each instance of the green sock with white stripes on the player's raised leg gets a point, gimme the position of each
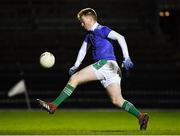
(66, 92)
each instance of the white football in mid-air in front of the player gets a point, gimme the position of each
(47, 60)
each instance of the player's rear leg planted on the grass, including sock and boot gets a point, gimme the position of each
(114, 91)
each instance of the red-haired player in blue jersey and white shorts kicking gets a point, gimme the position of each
(105, 69)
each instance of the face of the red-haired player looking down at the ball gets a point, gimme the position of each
(86, 22)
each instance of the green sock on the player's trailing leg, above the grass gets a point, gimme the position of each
(129, 107)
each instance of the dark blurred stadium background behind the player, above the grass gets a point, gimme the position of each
(31, 27)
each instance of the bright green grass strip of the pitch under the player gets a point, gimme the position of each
(85, 122)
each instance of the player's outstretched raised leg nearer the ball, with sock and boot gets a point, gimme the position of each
(85, 75)
